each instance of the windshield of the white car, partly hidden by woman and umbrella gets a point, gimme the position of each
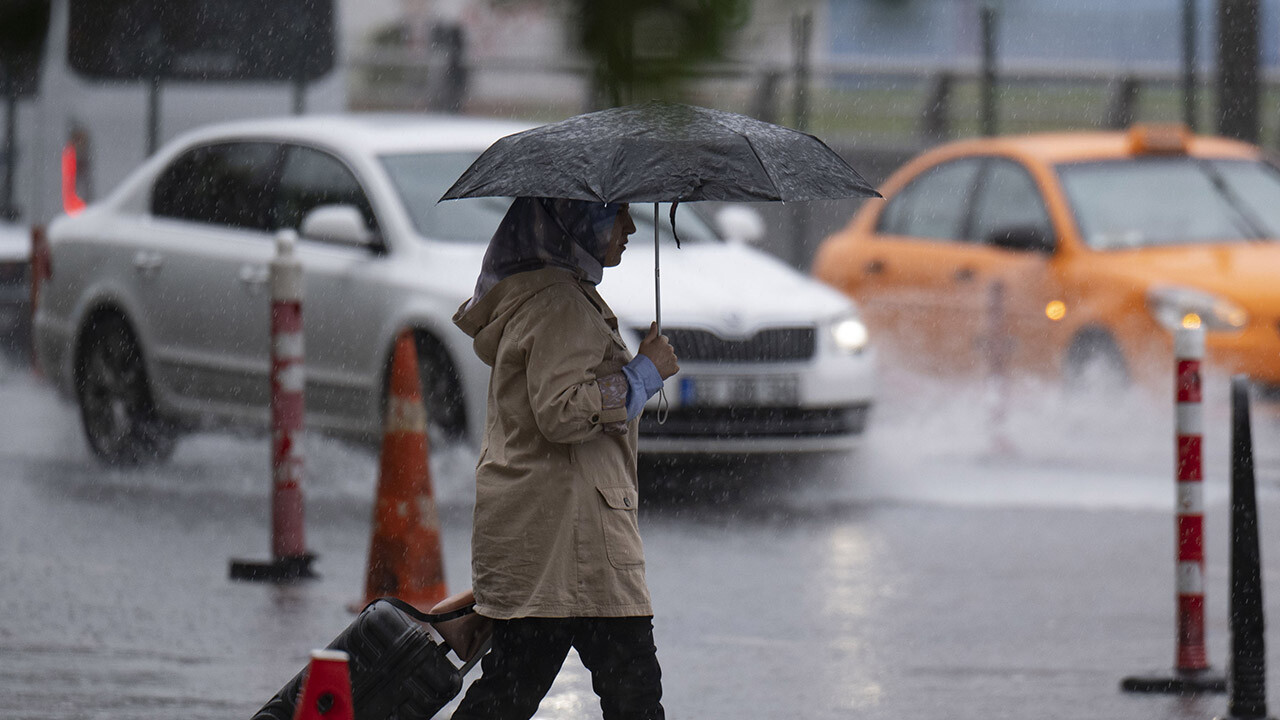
(422, 179)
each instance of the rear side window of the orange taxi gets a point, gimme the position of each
(934, 206)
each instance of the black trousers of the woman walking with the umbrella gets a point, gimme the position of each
(528, 654)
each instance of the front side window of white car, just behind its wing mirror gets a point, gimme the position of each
(310, 179)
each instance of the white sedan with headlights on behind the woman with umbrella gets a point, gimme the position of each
(157, 313)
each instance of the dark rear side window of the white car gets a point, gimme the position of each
(225, 185)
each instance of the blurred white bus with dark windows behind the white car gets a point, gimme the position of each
(118, 78)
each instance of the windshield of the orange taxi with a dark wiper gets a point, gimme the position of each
(1158, 202)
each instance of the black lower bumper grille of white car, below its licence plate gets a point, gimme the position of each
(756, 422)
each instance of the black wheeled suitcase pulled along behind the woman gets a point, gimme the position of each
(399, 671)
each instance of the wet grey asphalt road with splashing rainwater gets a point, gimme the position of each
(922, 578)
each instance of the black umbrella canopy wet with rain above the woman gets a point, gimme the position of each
(657, 153)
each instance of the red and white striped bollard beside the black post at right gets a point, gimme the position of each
(1191, 669)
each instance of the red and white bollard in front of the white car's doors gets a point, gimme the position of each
(291, 559)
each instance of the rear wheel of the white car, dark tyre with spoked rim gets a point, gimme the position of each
(117, 411)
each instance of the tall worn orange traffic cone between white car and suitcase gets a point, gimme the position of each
(405, 558)
